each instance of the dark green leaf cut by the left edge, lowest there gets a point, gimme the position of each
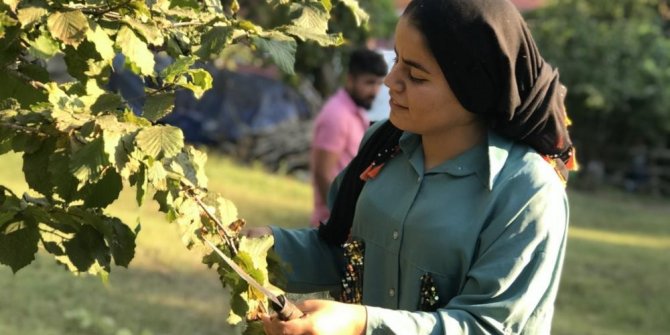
(18, 244)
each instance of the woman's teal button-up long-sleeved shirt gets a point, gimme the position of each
(489, 226)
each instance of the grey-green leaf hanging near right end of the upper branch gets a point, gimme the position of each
(280, 47)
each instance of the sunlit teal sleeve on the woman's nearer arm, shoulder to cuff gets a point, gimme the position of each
(512, 283)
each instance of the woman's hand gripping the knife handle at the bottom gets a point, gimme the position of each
(322, 317)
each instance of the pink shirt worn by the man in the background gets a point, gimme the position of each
(338, 128)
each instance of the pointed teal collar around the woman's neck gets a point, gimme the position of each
(485, 159)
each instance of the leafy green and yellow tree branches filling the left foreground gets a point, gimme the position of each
(82, 145)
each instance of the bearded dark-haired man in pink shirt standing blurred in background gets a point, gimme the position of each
(339, 127)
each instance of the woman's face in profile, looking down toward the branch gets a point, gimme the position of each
(421, 100)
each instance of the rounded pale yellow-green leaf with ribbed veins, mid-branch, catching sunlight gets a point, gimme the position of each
(160, 141)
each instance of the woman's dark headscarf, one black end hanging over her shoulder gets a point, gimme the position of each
(492, 64)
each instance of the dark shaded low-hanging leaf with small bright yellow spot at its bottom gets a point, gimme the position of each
(87, 248)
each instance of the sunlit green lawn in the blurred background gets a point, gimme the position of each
(614, 279)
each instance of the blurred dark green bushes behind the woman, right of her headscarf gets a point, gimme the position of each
(614, 58)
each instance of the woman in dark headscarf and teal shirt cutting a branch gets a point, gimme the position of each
(458, 201)
